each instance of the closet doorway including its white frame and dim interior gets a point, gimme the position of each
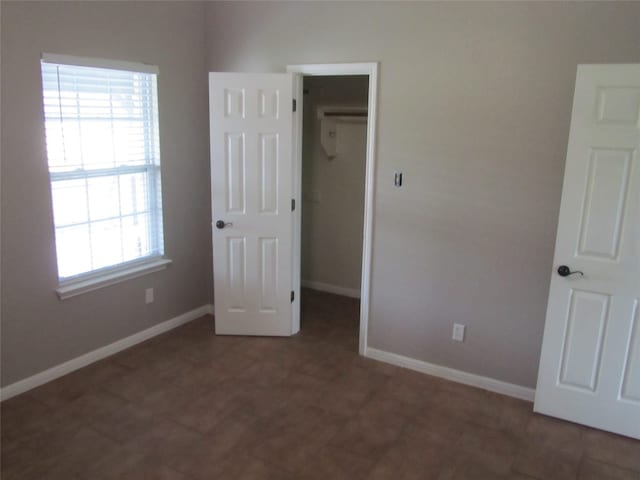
(333, 178)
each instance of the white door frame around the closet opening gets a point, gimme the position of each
(370, 69)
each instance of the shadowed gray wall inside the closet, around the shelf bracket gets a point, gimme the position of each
(333, 189)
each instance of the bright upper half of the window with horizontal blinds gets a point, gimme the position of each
(99, 118)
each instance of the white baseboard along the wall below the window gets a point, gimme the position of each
(52, 373)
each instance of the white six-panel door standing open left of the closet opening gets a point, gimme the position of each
(251, 189)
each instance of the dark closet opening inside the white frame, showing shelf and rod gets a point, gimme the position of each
(334, 142)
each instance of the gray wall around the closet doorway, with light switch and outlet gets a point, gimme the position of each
(474, 106)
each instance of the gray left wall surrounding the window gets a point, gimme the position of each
(38, 330)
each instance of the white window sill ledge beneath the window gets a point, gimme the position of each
(84, 285)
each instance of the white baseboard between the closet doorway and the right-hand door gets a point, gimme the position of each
(486, 383)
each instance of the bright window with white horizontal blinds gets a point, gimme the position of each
(101, 122)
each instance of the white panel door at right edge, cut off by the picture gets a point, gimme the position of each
(590, 362)
